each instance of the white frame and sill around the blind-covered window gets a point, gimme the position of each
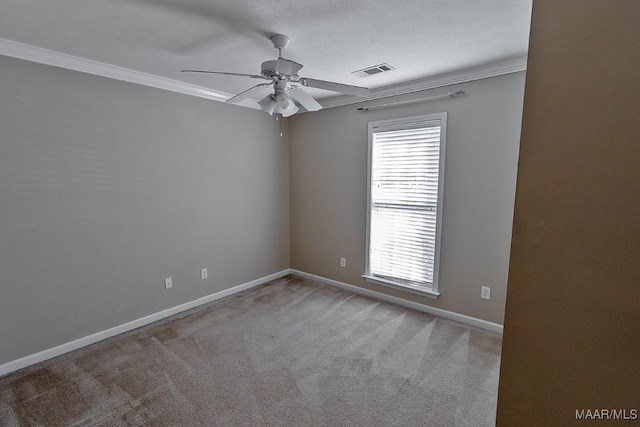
(396, 124)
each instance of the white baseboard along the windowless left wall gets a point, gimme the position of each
(134, 324)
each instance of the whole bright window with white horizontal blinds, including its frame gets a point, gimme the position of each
(404, 214)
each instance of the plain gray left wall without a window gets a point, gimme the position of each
(107, 187)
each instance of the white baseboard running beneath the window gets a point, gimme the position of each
(462, 318)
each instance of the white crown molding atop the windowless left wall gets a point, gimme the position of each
(75, 63)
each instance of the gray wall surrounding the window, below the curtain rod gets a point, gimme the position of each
(328, 192)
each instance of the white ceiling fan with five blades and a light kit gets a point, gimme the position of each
(287, 84)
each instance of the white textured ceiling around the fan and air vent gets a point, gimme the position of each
(421, 38)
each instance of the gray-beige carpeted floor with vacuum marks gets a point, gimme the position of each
(291, 352)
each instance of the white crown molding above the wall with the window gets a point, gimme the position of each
(447, 79)
